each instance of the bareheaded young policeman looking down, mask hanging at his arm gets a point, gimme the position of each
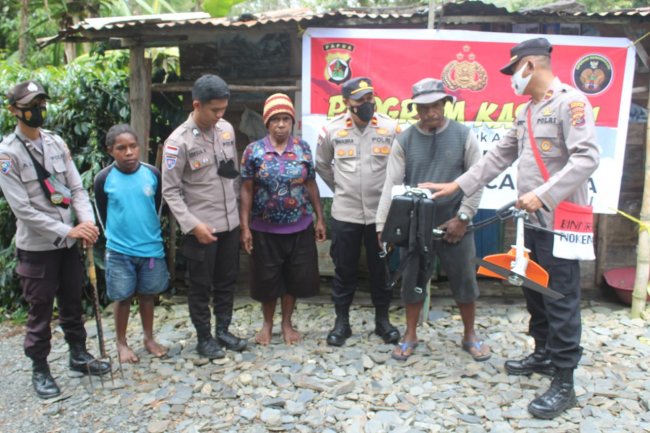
(200, 183)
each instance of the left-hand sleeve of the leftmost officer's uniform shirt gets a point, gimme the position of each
(18, 199)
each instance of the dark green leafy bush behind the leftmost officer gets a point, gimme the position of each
(87, 98)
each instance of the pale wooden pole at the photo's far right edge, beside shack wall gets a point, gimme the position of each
(643, 248)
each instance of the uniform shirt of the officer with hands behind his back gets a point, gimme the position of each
(352, 162)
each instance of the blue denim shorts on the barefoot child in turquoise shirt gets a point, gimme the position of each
(128, 275)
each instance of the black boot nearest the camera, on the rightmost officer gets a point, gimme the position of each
(559, 397)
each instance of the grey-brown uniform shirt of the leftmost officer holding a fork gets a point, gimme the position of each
(41, 226)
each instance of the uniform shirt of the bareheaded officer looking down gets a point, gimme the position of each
(193, 190)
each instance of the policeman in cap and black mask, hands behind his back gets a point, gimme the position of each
(352, 155)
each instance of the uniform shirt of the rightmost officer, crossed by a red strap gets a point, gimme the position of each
(564, 129)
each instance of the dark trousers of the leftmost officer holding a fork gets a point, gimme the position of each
(45, 275)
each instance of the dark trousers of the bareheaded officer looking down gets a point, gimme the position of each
(213, 271)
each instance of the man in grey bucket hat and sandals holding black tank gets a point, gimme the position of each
(437, 149)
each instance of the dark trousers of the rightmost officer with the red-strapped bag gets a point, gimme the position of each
(555, 323)
